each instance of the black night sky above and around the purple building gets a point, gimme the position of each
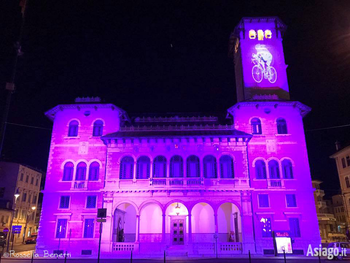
(168, 56)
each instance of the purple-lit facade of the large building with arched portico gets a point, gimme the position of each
(188, 185)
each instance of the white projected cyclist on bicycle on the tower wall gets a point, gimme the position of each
(262, 68)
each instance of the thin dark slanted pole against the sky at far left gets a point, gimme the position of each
(10, 85)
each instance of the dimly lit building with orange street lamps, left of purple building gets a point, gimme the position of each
(23, 181)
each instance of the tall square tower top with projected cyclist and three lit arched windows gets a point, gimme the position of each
(256, 44)
